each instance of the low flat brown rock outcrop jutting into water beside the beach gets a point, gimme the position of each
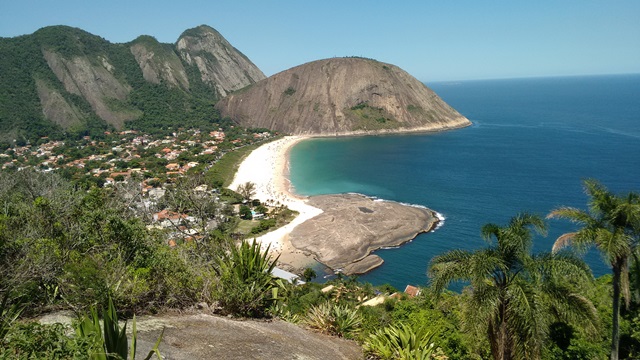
(352, 226)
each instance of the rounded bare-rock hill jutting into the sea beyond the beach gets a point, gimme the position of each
(341, 96)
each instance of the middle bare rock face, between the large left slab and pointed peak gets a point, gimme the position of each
(159, 62)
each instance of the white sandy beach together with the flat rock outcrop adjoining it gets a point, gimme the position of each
(340, 231)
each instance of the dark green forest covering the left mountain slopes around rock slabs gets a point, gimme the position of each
(158, 108)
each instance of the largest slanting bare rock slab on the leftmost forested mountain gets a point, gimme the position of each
(94, 82)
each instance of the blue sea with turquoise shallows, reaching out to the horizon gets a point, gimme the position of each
(531, 144)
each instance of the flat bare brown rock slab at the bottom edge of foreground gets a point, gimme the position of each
(195, 337)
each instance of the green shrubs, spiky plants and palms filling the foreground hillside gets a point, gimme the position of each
(63, 247)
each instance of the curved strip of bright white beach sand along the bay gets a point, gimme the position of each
(268, 167)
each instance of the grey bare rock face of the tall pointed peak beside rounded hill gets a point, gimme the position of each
(220, 64)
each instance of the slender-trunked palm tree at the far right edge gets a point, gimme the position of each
(612, 225)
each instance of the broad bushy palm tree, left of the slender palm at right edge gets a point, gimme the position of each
(515, 296)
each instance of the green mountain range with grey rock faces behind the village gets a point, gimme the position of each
(63, 79)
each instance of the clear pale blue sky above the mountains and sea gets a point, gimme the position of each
(432, 40)
